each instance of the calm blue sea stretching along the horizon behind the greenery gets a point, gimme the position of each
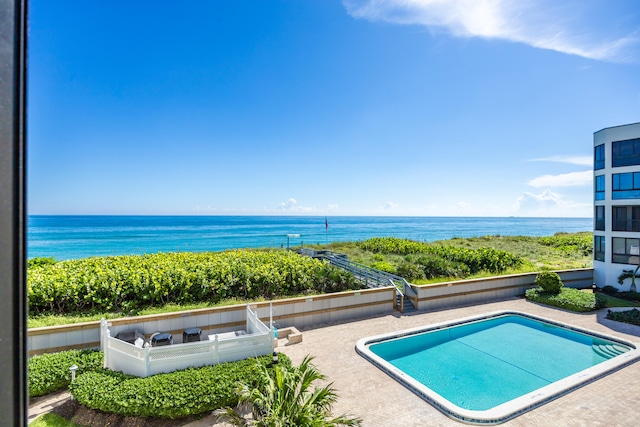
(73, 237)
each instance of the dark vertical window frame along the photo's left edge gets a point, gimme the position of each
(13, 316)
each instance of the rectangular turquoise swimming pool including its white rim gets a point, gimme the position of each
(488, 369)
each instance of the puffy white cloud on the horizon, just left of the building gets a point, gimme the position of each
(548, 204)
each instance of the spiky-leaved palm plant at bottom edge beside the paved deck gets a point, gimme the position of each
(285, 399)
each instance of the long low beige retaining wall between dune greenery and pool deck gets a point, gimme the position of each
(299, 312)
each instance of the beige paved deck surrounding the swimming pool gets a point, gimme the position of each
(367, 392)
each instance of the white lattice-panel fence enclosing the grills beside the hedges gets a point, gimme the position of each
(255, 340)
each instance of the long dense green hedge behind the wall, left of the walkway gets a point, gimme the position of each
(124, 283)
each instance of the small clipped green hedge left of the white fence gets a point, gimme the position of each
(50, 372)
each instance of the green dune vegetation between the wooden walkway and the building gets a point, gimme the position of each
(557, 252)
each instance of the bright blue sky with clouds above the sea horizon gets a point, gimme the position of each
(325, 107)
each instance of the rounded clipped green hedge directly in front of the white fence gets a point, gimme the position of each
(174, 395)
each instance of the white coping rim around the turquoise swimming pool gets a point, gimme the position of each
(512, 408)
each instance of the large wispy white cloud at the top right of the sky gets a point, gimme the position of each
(544, 24)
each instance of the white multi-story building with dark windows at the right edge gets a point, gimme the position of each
(616, 228)
